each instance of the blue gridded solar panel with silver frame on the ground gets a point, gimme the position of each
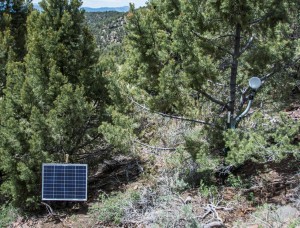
(67, 182)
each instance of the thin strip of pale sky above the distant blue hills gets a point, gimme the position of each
(109, 3)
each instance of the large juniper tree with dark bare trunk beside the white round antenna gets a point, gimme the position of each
(194, 58)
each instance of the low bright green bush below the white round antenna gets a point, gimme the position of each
(271, 139)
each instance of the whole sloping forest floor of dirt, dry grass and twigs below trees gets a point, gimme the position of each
(164, 189)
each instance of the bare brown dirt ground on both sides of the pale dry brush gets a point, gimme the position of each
(237, 206)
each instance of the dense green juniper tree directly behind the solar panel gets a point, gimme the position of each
(53, 102)
